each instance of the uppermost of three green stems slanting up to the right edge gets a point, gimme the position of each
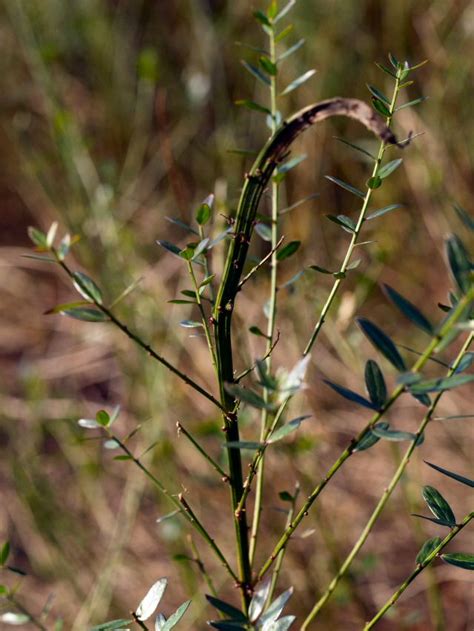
(443, 332)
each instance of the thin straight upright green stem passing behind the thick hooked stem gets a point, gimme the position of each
(272, 312)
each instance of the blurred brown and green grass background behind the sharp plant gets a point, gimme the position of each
(118, 113)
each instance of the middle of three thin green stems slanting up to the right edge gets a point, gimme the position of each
(384, 498)
